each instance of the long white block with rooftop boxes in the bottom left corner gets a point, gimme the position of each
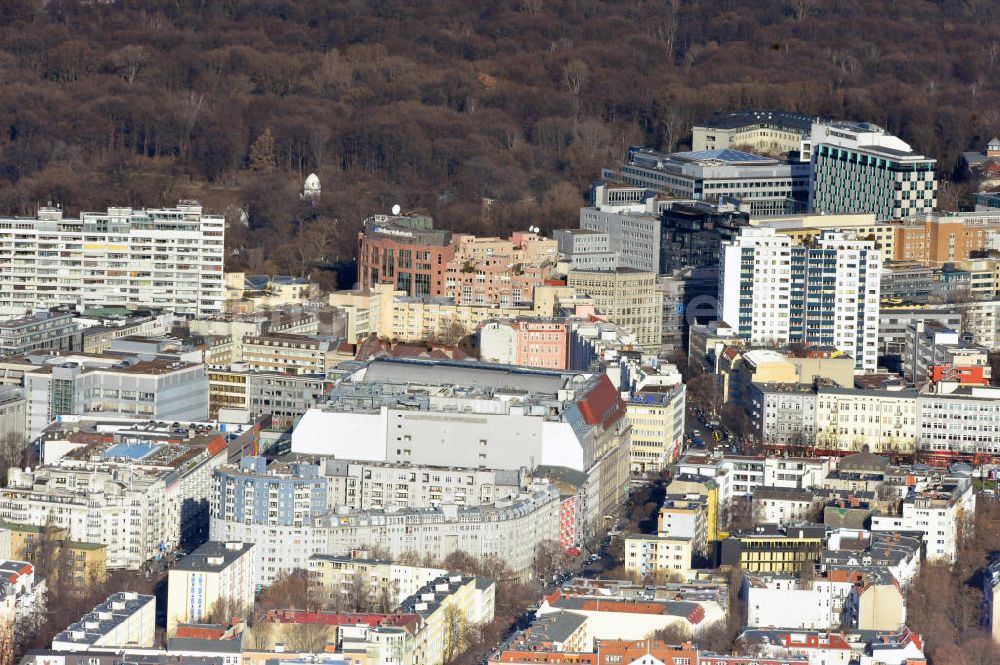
(125, 619)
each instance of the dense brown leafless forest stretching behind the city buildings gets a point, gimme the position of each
(440, 105)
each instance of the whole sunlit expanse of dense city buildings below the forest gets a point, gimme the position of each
(751, 395)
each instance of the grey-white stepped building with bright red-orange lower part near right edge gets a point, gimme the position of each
(934, 353)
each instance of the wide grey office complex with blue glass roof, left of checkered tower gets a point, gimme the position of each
(759, 185)
